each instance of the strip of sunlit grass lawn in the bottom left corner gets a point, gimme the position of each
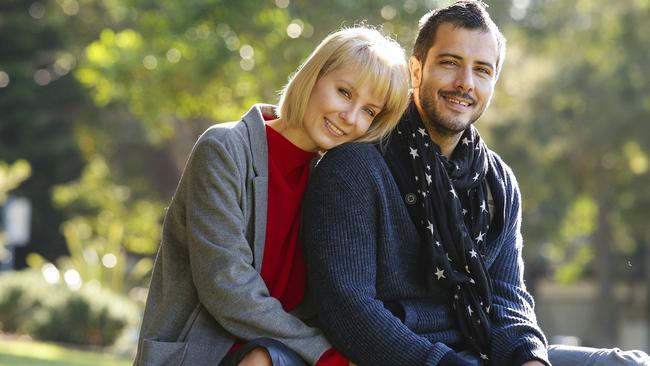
(23, 353)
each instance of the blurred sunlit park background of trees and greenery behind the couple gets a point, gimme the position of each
(102, 100)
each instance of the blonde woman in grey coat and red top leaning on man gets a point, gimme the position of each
(228, 281)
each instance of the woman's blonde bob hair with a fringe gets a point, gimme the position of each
(374, 57)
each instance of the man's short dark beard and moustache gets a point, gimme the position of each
(434, 119)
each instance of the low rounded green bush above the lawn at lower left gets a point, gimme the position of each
(53, 312)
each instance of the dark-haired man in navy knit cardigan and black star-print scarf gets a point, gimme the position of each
(414, 247)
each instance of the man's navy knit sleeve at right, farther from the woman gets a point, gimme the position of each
(516, 337)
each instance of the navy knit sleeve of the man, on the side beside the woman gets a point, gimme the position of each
(342, 209)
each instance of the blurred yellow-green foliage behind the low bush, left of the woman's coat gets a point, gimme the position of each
(112, 226)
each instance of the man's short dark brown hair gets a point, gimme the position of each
(469, 14)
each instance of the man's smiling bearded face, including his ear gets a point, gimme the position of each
(454, 86)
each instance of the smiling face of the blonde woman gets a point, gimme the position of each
(338, 111)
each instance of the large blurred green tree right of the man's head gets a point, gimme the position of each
(572, 125)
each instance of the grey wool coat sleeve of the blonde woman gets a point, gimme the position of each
(220, 256)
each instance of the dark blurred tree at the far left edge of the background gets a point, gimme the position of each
(39, 99)
